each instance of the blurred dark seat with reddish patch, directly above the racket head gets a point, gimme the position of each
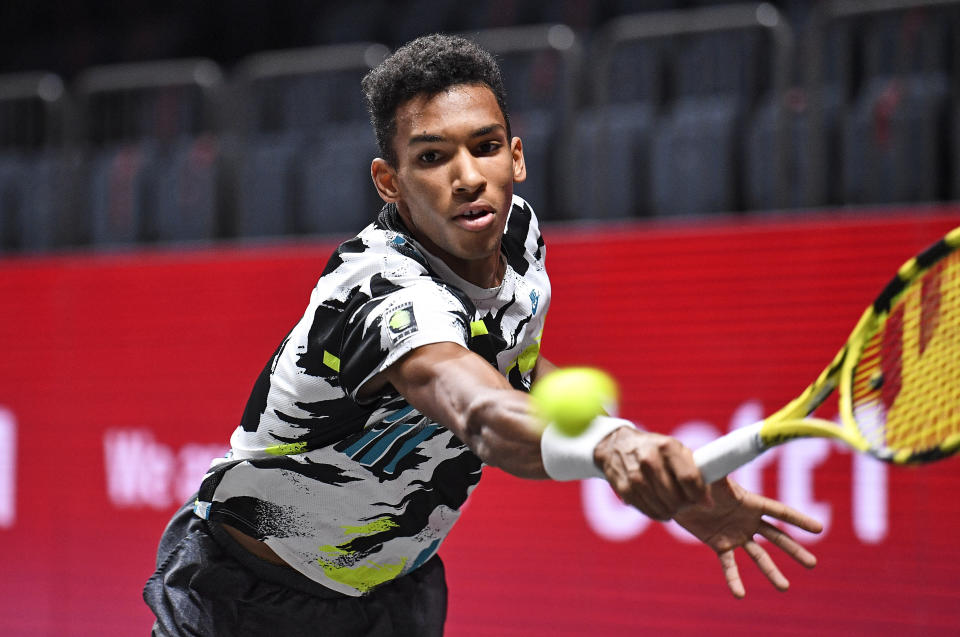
(893, 146)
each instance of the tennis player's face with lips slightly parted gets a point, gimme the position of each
(454, 177)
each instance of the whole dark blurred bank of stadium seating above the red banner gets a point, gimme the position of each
(703, 118)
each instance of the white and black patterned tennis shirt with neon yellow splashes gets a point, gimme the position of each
(354, 493)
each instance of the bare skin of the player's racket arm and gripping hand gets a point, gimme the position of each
(462, 391)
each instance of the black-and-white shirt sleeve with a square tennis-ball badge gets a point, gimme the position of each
(387, 327)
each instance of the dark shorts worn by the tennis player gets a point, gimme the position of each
(208, 585)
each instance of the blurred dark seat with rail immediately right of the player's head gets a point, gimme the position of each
(541, 66)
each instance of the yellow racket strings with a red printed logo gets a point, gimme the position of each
(906, 385)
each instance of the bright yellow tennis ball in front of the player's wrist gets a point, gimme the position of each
(572, 397)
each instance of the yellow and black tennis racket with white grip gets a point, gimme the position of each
(898, 377)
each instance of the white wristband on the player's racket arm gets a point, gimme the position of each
(571, 457)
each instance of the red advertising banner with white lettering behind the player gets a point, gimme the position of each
(122, 375)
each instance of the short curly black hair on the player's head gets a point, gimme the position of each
(428, 65)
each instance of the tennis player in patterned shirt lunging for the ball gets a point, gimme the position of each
(408, 372)
